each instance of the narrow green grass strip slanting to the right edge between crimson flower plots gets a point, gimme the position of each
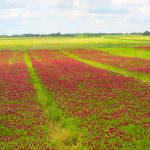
(139, 76)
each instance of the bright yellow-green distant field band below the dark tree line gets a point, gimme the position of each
(71, 43)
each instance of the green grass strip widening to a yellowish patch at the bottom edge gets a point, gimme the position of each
(62, 130)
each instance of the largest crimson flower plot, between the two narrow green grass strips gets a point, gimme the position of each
(113, 109)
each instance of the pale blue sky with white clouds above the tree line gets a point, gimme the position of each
(74, 16)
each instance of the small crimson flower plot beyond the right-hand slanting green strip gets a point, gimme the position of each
(128, 63)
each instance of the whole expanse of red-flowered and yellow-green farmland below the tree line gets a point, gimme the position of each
(75, 93)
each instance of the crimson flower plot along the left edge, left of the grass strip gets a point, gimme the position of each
(23, 124)
